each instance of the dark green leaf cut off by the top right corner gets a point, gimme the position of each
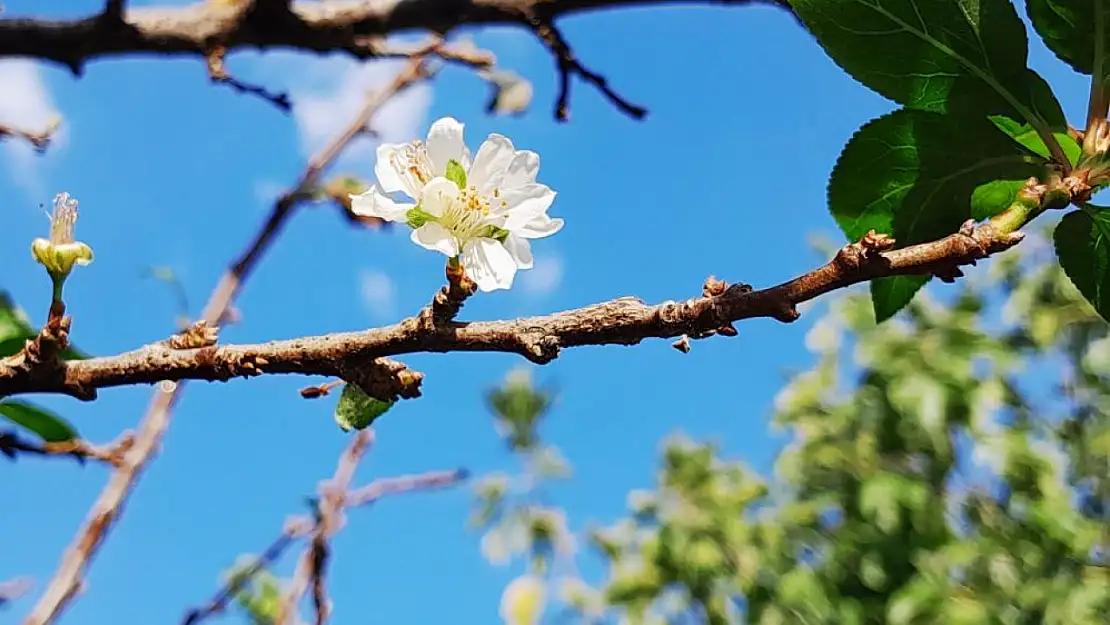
(1077, 32)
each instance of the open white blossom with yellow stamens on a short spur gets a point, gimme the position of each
(482, 209)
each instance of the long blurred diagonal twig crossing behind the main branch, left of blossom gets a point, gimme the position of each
(109, 506)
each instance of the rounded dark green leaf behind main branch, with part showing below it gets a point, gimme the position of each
(913, 175)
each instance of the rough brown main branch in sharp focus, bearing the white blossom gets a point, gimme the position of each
(624, 321)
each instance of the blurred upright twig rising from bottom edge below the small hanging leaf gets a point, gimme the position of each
(314, 564)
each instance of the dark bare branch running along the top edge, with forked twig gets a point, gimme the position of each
(356, 27)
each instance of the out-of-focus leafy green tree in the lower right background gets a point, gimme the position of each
(955, 469)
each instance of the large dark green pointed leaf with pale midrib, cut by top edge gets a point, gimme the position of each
(930, 55)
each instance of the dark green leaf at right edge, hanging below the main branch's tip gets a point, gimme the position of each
(1083, 246)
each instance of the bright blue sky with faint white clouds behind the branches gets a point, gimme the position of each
(726, 177)
